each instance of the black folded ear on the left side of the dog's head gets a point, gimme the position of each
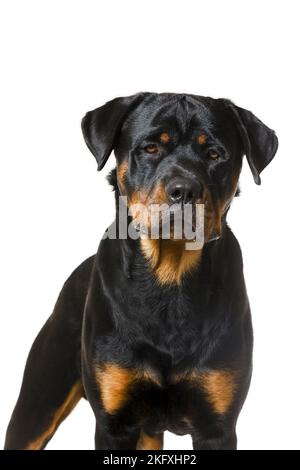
(101, 126)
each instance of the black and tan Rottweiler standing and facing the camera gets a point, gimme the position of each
(155, 336)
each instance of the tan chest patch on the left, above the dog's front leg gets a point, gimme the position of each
(115, 383)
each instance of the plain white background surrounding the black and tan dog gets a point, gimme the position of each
(62, 58)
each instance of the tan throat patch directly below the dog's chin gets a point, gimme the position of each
(169, 259)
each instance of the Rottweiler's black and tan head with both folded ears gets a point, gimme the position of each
(179, 149)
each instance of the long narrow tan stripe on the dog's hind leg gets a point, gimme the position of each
(60, 414)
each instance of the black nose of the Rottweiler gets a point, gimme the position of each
(183, 190)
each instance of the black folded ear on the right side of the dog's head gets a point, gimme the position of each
(260, 143)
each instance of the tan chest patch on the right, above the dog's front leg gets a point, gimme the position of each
(218, 385)
